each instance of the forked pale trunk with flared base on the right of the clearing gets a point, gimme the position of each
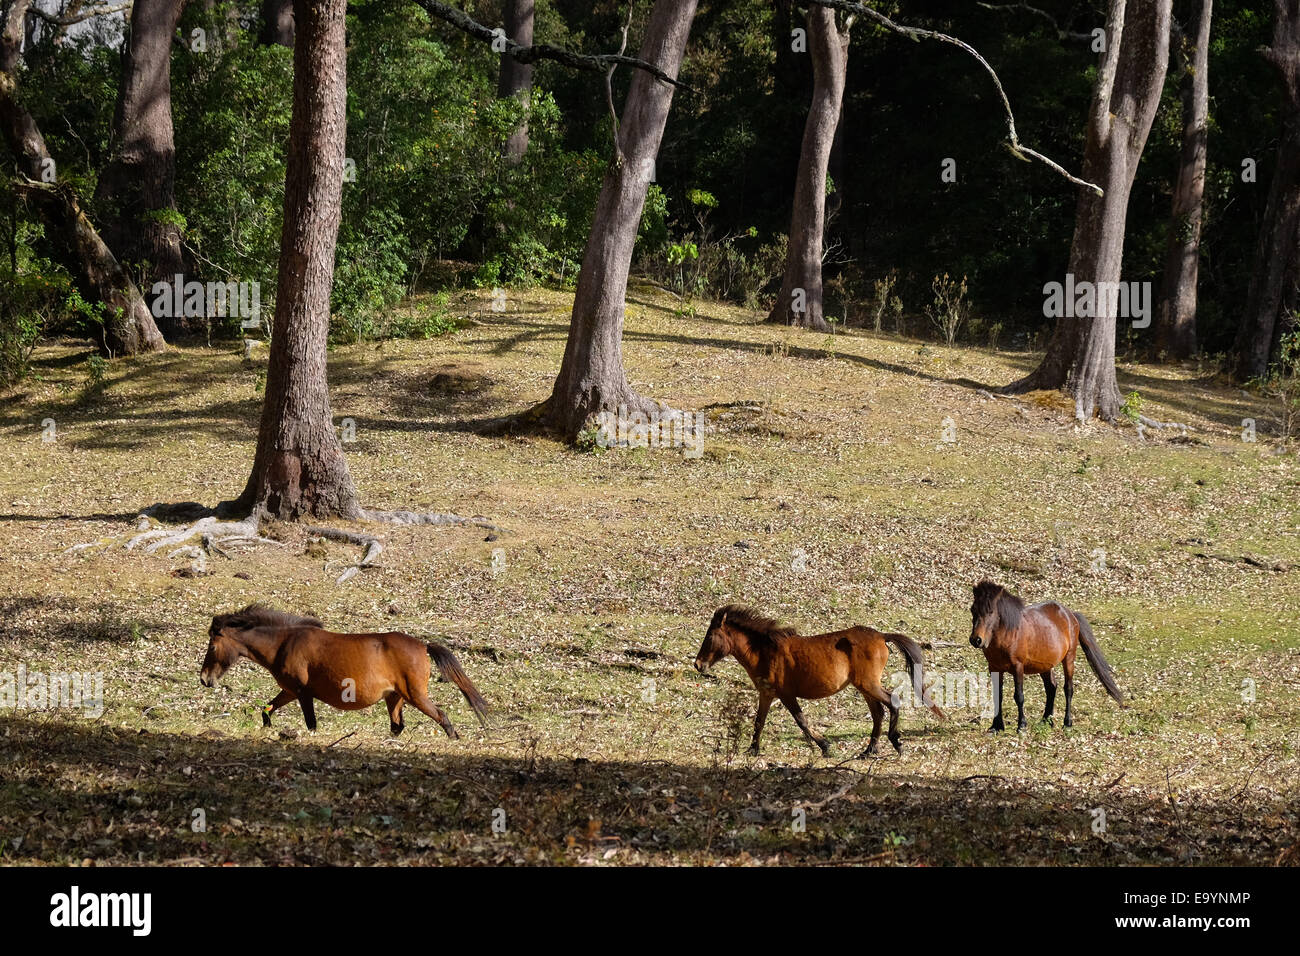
(1081, 356)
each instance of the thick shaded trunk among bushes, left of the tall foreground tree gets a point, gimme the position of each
(140, 181)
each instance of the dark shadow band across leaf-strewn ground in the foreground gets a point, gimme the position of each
(76, 790)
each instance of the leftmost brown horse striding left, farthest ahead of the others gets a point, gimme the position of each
(345, 671)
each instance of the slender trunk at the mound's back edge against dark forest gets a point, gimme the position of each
(800, 301)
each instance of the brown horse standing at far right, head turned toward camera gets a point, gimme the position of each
(1020, 641)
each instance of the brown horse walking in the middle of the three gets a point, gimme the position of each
(787, 667)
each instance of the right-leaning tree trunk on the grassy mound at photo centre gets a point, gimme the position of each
(592, 378)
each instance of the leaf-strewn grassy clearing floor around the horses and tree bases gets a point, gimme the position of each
(826, 495)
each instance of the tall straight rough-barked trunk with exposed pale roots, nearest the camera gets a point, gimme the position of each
(300, 466)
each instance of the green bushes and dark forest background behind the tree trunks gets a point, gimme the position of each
(434, 207)
